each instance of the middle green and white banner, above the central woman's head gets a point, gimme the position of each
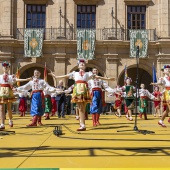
(86, 43)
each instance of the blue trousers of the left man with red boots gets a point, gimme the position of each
(36, 105)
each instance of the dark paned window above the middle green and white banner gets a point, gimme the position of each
(86, 16)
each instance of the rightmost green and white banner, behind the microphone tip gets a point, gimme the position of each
(138, 38)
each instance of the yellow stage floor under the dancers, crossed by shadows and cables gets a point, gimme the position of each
(98, 147)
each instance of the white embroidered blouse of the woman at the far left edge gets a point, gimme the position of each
(7, 79)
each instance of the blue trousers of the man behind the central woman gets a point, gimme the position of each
(96, 105)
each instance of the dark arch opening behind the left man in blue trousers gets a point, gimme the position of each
(27, 71)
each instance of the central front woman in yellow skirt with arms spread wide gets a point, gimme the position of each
(81, 94)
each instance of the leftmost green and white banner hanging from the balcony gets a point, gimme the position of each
(33, 42)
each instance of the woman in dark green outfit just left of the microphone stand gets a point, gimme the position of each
(129, 98)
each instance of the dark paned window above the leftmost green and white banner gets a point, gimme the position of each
(36, 16)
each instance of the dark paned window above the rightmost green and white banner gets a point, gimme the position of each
(136, 17)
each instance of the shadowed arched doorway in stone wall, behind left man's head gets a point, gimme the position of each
(30, 72)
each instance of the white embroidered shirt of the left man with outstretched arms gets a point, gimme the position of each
(36, 84)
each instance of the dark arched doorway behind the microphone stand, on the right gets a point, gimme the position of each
(144, 77)
